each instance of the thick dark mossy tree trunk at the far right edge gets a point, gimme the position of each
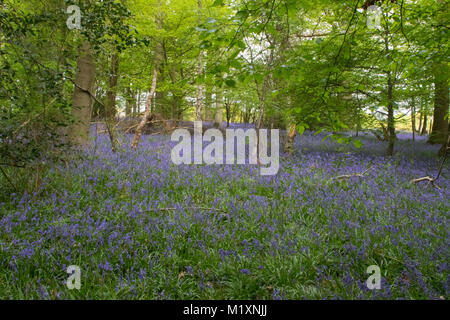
(441, 101)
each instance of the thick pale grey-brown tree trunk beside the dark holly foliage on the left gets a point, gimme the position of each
(82, 99)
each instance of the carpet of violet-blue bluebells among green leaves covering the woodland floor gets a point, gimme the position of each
(140, 227)
